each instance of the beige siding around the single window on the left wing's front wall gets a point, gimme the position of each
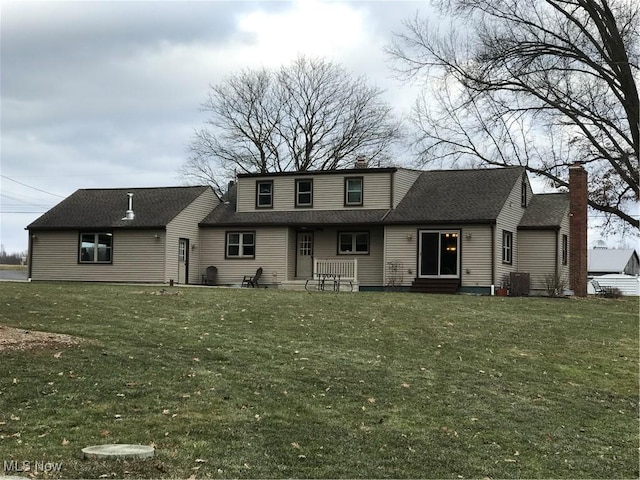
(137, 257)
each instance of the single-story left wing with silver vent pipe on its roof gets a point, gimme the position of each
(121, 235)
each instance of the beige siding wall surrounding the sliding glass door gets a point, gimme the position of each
(401, 248)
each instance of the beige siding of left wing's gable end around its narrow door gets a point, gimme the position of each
(185, 225)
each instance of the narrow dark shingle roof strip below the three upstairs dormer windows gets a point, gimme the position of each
(225, 215)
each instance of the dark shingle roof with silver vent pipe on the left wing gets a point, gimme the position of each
(105, 208)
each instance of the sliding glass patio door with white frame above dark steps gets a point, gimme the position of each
(439, 254)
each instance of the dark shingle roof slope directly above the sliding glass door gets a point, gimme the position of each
(457, 196)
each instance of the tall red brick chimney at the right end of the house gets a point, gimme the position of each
(578, 229)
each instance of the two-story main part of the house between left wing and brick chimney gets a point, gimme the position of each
(450, 230)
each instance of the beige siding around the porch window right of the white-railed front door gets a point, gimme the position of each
(370, 267)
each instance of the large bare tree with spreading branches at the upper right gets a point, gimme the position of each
(540, 84)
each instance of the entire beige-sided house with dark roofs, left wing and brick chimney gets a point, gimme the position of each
(383, 228)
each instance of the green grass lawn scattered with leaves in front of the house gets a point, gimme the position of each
(266, 383)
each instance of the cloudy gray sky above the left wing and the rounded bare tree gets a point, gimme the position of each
(107, 94)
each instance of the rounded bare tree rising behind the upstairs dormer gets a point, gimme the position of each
(310, 115)
